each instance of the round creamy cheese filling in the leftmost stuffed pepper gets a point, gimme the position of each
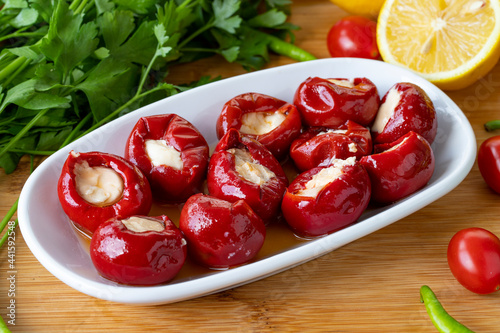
(100, 186)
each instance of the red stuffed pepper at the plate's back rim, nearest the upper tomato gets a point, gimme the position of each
(322, 102)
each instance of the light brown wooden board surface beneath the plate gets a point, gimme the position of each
(370, 285)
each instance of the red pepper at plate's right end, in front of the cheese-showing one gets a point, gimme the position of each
(400, 168)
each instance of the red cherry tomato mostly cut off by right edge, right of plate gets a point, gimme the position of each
(488, 160)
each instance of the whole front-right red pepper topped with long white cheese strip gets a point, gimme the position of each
(323, 200)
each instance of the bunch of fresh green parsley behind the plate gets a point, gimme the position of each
(68, 67)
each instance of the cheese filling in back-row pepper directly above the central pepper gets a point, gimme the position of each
(258, 123)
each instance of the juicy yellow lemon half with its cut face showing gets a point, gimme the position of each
(451, 43)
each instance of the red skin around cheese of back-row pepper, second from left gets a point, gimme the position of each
(169, 184)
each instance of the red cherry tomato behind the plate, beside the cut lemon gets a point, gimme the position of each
(353, 36)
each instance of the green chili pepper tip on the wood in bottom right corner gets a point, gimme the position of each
(439, 317)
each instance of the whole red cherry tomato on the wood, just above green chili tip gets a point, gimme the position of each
(474, 260)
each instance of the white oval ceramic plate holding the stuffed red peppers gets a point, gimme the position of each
(54, 243)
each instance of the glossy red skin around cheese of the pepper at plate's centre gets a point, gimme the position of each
(226, 183)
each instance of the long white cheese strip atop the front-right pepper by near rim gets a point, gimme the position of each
(325, 177)
